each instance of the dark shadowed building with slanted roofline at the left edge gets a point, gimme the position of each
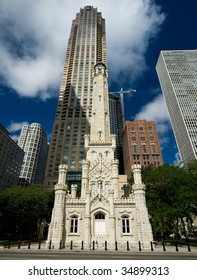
(11, 158)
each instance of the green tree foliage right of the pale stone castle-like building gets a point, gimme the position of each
(171, 195)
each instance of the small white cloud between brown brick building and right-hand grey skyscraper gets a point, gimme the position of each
(156, 110)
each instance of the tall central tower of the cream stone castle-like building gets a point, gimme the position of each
(100, 181)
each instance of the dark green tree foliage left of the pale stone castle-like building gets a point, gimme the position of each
(23, 210)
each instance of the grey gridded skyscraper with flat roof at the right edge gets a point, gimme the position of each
(177, 72)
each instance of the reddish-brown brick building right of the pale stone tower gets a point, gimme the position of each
(140, 144)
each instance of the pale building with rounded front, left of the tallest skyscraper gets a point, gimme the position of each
(33, 140)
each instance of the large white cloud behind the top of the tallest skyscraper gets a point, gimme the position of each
(34, 37)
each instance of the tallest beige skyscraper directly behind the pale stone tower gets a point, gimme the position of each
(86, 46)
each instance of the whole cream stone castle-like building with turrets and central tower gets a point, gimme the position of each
(106, 210)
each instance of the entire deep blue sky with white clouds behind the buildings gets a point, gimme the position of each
(33, 41)
